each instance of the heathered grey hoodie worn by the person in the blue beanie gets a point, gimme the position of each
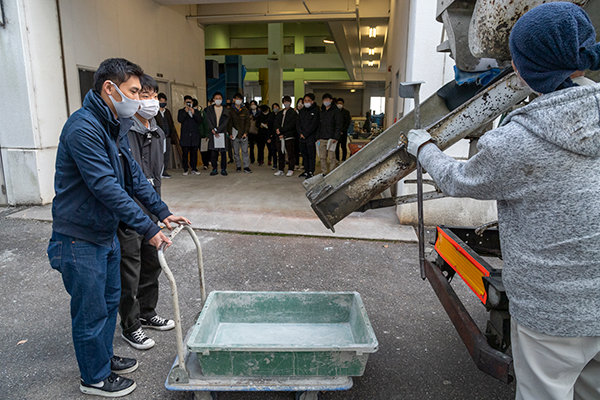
(543, 167)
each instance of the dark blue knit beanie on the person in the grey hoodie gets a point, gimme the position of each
(552, 41)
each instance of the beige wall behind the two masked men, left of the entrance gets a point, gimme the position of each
(94, 30)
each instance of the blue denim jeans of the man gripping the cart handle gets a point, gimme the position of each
(91, 276)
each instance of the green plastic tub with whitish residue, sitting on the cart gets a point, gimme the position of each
(258, 334)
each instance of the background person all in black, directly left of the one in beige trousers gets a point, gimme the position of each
(308, 128)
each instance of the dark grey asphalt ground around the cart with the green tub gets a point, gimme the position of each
(420, 355)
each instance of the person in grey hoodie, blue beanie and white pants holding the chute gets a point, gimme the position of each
(542, 165)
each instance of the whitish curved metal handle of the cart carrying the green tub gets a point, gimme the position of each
(180, 374)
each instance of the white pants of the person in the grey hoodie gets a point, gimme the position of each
(554, 367)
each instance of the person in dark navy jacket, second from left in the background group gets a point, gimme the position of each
(190, 120)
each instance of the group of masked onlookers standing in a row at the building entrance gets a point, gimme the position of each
(243, 131)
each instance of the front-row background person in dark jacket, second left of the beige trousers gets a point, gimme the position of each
(285, 129)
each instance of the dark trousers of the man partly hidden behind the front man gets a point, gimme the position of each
(139, 279)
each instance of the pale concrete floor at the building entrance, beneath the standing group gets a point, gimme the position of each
(260, 203)
